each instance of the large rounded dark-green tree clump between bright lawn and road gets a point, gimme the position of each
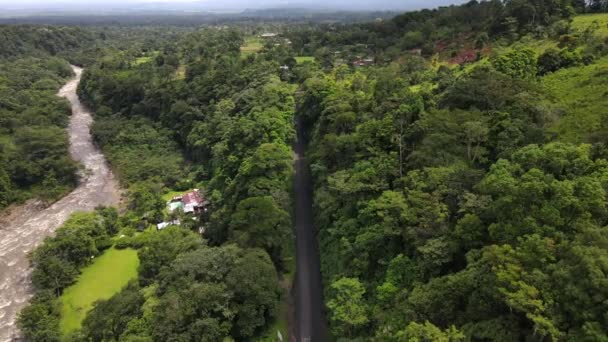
(213, 293)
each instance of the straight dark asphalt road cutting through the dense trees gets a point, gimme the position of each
(310, 315)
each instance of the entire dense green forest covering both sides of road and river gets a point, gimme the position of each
(459, 160)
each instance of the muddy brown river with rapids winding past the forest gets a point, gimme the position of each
(29, 224)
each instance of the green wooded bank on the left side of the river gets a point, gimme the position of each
(34, 145)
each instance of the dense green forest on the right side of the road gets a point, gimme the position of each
(451, 206)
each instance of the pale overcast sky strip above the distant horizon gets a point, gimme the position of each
(222, 4)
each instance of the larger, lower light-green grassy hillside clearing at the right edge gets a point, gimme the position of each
(582, 93)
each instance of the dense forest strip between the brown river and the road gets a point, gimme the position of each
(151, 125)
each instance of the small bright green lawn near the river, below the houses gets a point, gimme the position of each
(107, 275)
